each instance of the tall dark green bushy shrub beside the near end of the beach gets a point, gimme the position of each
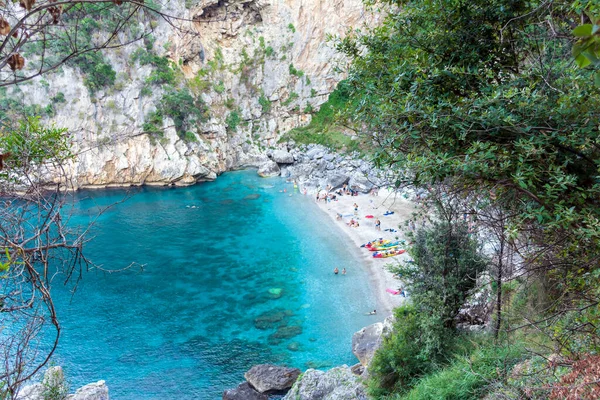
(446, 263)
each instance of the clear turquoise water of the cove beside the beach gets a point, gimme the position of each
(229, 274)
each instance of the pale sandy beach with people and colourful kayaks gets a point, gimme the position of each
(380, 278)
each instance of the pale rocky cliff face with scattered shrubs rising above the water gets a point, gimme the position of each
(260, 66)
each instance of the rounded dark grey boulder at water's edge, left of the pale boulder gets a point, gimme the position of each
(268, 378)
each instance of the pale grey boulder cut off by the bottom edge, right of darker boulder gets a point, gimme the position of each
(336, 384)
